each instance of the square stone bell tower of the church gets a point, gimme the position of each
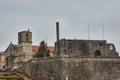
(25, 44)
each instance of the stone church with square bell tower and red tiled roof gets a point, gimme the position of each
(16, 54)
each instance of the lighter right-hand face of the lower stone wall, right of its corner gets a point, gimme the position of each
(91, 68)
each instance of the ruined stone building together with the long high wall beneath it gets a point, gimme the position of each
(78, 60)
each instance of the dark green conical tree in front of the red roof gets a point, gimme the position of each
(43, 51)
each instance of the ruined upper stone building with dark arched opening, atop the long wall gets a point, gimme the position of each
(86, 48)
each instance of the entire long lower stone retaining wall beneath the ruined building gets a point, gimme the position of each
(74, 68)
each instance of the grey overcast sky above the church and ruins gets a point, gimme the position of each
(40, 17)
